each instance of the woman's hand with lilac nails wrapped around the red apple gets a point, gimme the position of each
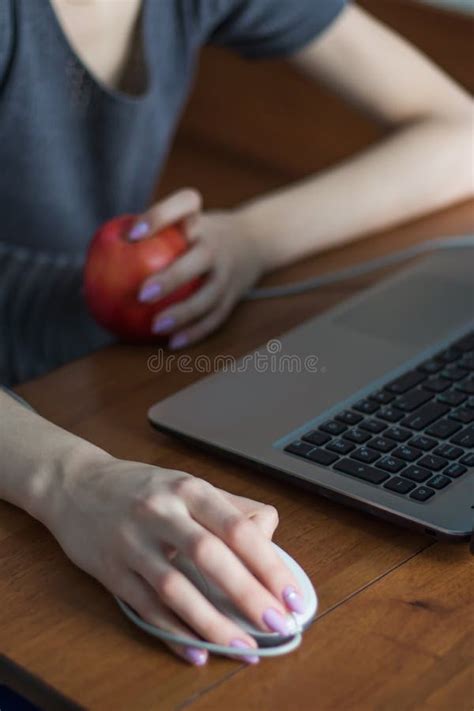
(222, 249)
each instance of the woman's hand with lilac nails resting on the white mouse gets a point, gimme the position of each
(123, 522)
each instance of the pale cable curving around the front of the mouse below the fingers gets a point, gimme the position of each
(278, 650)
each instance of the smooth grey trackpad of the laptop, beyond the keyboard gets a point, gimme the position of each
(419, 310)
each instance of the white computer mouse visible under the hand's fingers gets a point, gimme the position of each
(222, 602)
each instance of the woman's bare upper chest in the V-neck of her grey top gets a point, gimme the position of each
(102, 33)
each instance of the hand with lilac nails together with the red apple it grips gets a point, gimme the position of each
(145, 279)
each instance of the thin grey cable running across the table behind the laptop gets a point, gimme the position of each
(372, 265)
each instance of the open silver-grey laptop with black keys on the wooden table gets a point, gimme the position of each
(370, 404)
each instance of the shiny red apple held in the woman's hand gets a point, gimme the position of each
(116, 269)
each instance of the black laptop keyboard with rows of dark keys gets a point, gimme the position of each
(414, 437)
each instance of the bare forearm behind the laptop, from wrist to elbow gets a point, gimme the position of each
(420, 168)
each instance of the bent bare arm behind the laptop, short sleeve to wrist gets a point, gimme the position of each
(425, 164)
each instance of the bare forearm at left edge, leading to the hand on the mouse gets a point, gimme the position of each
(38, 459)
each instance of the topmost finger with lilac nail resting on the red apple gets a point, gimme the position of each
(177, 207)
